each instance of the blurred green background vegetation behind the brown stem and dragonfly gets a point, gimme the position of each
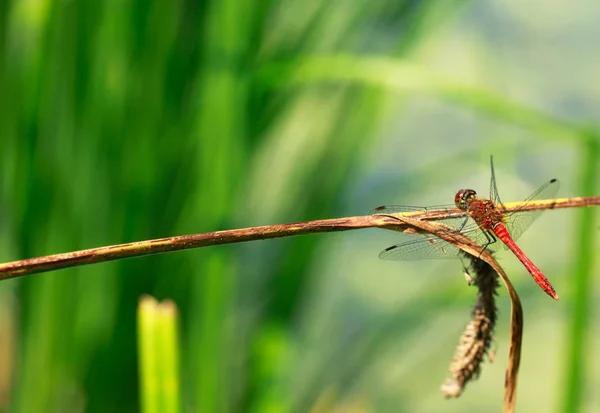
(123, 121)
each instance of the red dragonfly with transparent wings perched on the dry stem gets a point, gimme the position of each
(484, 220)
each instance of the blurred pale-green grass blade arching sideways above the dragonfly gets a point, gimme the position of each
(410, 78)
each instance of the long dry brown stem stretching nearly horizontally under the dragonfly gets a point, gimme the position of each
(157, 246)
